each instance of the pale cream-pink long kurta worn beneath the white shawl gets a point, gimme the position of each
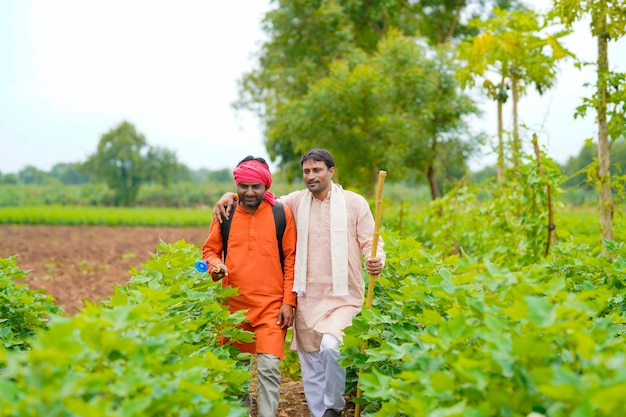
(319, 311)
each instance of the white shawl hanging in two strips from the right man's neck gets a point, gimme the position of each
(338, 242)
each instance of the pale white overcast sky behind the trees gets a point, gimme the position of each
(73, 69)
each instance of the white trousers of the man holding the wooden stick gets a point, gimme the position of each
(323, 379)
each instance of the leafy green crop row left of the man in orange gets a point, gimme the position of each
(153, 349)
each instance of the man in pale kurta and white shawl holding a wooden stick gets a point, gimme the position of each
(325, 306)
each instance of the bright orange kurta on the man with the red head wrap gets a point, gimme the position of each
(254, 268)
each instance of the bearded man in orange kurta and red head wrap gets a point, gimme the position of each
(253, 267)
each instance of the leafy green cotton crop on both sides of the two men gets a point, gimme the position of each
(480, 311)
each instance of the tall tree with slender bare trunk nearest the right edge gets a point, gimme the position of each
(607, 21)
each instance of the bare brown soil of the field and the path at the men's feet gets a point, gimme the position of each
(77, 263)
